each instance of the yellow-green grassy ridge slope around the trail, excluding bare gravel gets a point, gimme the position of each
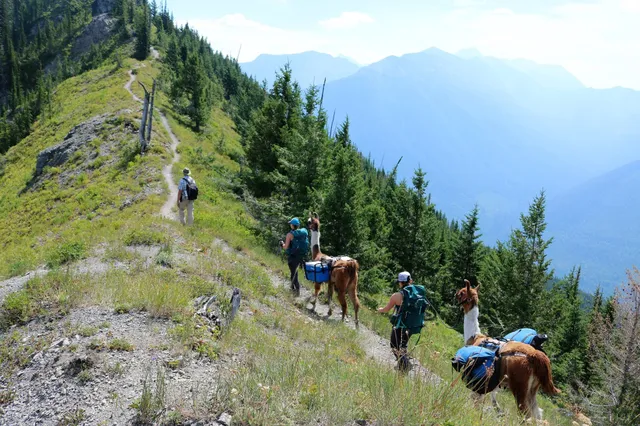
(295, 369)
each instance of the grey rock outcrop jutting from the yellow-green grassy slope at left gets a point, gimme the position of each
(75, 140)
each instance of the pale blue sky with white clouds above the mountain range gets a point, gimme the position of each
(596, 40)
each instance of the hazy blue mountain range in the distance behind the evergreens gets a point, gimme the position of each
(496, 132)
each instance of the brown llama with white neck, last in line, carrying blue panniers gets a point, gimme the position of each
(523, 369)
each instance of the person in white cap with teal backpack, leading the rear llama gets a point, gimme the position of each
(408, 319)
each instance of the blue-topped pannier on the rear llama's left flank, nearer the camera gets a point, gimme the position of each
(478, 366)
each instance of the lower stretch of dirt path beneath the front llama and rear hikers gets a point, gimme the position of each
(374, 346)
